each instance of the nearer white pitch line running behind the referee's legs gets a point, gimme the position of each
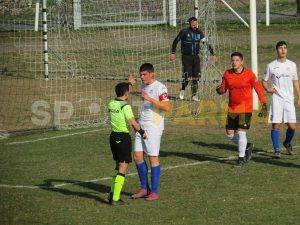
(108, 178)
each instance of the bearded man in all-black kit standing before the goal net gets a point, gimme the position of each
(190, 45)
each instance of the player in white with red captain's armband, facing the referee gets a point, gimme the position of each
(155, 102)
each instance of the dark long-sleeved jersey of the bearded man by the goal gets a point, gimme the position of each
(190, 41)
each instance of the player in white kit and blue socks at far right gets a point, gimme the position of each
(283, 75)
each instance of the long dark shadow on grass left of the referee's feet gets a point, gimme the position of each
(95, 189)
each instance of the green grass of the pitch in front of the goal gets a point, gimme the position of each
(265, 191)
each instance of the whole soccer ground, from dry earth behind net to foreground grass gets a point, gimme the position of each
(52, 174)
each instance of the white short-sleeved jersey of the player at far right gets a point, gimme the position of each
(282, 75)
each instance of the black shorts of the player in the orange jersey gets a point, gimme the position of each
(238, 120)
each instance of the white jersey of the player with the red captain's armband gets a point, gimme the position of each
(150, 117)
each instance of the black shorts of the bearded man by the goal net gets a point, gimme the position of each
(190, 66)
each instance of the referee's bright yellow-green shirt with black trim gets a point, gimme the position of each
(119, 113)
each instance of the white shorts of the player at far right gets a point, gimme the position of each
(282, 111)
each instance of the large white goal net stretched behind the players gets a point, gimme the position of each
(91, 46)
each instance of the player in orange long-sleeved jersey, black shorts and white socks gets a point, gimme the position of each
(240, 81)
